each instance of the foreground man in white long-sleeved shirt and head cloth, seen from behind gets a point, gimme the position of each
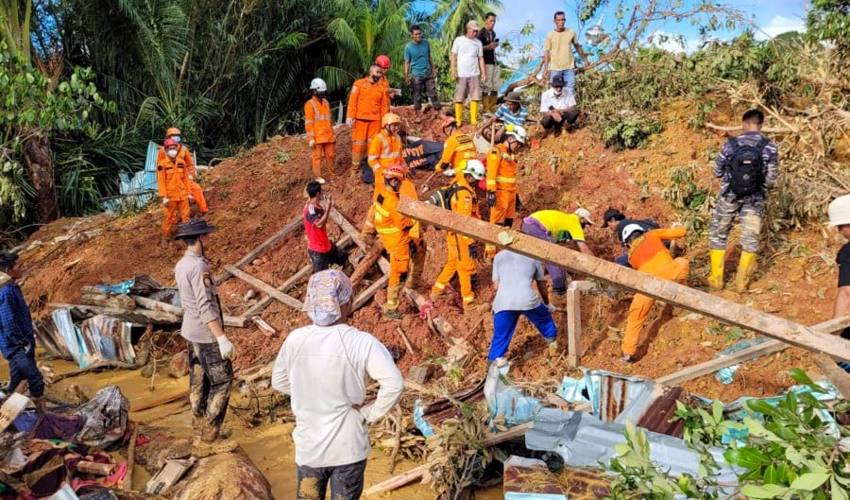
(323, 367)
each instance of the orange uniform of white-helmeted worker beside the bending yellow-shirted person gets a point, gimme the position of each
(502, 173)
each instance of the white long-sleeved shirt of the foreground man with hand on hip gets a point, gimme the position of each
(324, 369)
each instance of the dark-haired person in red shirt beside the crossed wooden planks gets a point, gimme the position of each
(322, 251)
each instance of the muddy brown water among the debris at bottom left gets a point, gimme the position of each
(269, 445)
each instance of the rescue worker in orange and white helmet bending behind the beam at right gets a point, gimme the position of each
(648, 254)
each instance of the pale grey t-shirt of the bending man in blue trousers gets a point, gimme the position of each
(515, 272)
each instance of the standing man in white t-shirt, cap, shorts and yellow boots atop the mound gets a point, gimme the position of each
(468, 70)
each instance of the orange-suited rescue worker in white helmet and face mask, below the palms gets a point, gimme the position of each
(319, 128)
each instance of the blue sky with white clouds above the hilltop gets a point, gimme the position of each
(772, 17)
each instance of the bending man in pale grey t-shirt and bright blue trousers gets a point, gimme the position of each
(518, 298)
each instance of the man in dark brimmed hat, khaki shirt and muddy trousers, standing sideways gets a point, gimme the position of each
(210, 352)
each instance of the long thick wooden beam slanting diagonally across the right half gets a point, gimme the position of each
(669, 291)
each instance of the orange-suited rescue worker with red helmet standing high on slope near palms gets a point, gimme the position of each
(367, 104)
